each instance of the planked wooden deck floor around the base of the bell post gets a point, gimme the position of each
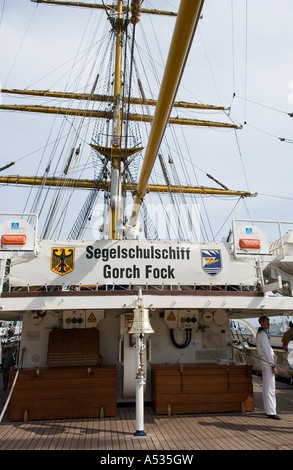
(189, 433)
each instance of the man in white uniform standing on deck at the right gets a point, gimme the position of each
(268, 367)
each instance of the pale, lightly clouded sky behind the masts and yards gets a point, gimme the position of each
(241, 58)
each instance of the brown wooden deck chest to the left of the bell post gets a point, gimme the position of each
(65, 392)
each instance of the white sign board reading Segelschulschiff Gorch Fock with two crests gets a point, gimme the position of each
(132, 262)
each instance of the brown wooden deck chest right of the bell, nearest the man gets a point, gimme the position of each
(201, 388)
